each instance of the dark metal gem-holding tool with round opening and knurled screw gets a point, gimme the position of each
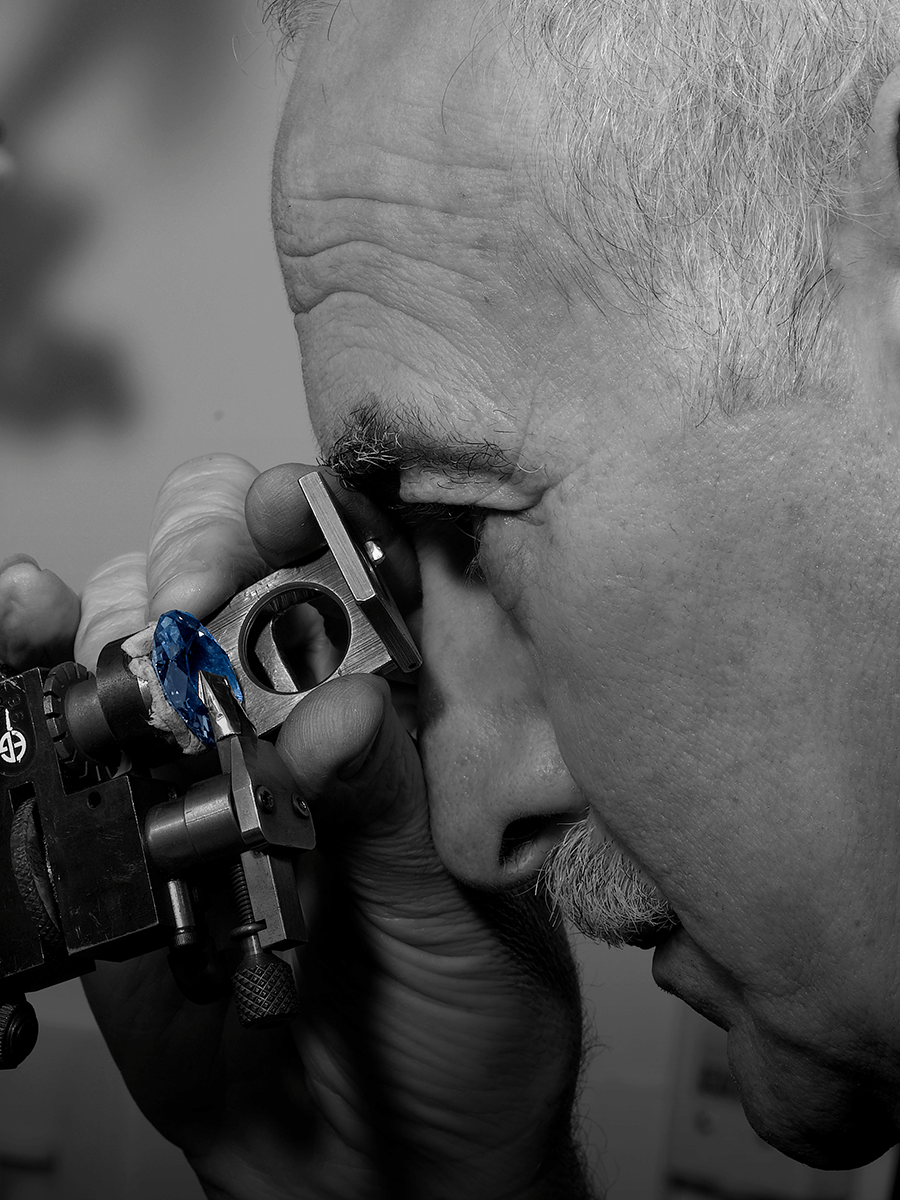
(109, 865)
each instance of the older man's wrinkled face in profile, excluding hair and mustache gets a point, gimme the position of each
(665, 626)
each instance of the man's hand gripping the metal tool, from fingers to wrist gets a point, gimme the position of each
(439, 1045)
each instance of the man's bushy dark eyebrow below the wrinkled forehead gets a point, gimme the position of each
(377, 445)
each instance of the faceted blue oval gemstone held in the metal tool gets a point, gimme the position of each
(183, 647)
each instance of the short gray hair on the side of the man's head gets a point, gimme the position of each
(703, 152)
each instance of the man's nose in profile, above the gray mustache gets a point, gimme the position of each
(500, 793)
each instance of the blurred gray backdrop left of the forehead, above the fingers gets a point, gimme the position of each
(141, 311)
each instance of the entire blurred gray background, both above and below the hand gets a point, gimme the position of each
(142, 322)
